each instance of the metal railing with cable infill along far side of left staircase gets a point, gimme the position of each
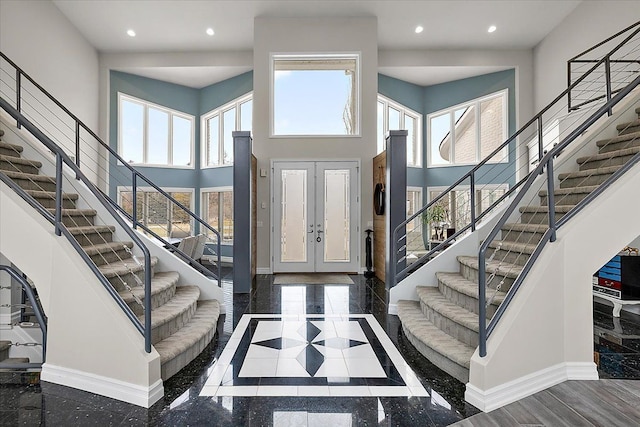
(72, 131)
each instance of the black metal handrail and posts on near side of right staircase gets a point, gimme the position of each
(549, 236)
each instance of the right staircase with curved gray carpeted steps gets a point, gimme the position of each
(443, 324)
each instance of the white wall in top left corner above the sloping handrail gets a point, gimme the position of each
(39, 39)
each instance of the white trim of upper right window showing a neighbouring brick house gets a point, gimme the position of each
(505, 123)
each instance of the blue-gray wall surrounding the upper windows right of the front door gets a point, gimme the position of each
(429, 99)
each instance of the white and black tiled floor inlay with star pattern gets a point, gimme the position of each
(311, 355)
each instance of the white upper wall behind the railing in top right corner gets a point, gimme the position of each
(590, 23)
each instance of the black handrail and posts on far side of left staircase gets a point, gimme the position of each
(135, 173)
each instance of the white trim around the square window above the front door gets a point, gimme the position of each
(276, 55)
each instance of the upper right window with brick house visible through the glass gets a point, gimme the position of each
(467, 133)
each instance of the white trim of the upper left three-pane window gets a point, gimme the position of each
(171, 112)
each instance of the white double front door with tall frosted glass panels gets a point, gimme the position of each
(316, 216)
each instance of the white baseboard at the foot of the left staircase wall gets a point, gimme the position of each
(116, 389)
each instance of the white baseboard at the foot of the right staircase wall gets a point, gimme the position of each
(499, 396)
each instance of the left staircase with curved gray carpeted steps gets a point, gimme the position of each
(182, 325)
